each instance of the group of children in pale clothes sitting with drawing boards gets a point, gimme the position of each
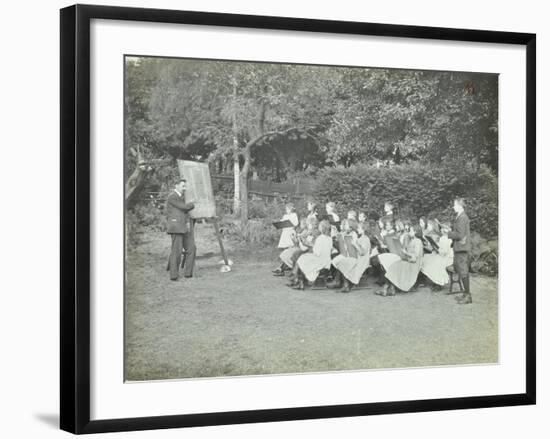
(397, 250)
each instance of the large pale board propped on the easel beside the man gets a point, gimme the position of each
(199, 188)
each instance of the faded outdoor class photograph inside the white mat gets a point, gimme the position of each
(297, 218)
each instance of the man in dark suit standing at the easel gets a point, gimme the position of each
(177, 217)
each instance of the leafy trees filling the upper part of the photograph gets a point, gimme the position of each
(279, 119)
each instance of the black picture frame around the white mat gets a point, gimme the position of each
(75, 217)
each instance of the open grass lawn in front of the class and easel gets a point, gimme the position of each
(247, 322)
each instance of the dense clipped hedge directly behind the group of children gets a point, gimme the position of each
(416, 190)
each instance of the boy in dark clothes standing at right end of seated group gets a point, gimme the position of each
(461, 249)
